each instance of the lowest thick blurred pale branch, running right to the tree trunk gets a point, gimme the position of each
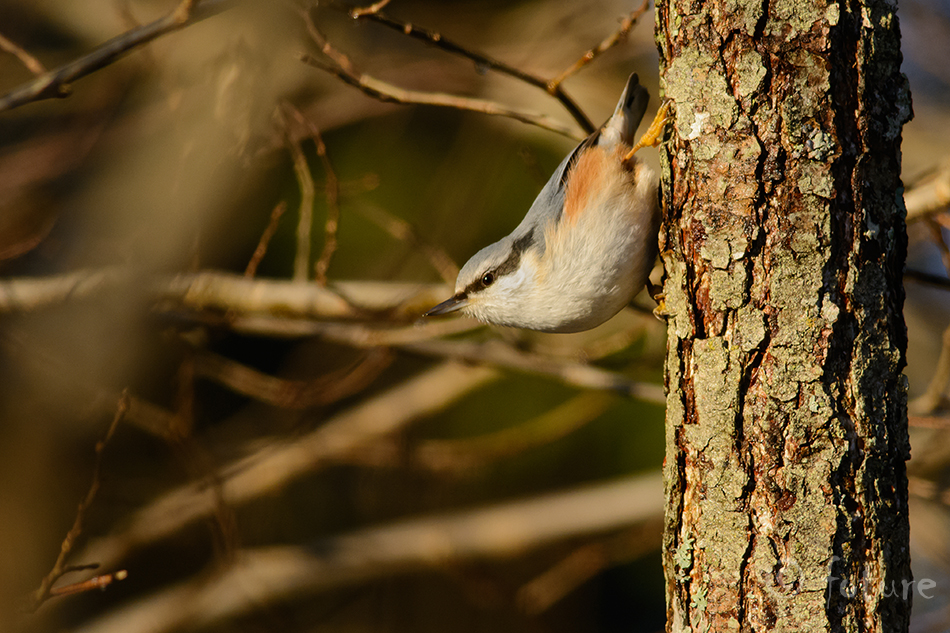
(266, 576)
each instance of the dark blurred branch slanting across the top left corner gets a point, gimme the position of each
(55, 83)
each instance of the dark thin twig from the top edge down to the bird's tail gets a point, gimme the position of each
(481, 60)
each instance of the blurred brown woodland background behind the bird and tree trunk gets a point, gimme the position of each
(252, 454)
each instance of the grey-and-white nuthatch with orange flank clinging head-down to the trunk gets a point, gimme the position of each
(587, 244)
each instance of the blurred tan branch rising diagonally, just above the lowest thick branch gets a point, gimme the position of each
(270, 468)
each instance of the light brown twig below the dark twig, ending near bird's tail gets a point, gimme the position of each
(392, 94)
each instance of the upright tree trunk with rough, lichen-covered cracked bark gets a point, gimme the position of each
(784, 242)
